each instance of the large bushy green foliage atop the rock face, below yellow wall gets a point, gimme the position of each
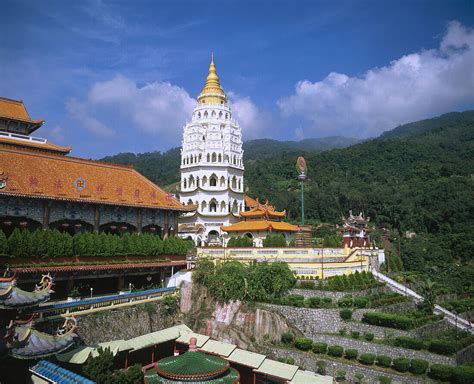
(236, 281)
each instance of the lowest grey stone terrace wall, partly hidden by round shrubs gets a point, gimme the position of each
(371, 375)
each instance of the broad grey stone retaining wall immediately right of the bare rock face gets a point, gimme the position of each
(314, 321)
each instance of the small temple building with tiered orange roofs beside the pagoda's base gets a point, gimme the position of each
(258, 222)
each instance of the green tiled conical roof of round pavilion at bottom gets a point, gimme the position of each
(192, 365)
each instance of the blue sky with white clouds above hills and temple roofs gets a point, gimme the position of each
(123, 76)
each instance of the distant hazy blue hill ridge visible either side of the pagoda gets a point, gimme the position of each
(163, 167)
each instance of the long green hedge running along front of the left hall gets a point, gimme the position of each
(52, 243)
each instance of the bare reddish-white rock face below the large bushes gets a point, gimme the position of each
(243, 324)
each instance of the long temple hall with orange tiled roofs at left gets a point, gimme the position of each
(41, 187)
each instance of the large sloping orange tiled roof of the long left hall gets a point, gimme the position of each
(40, 175)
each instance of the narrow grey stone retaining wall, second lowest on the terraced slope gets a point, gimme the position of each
(380, 349)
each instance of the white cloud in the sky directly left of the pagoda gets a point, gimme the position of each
(159, 109)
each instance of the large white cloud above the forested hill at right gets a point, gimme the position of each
(413, 87)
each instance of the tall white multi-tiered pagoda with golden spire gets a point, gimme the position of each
(212, 169)
